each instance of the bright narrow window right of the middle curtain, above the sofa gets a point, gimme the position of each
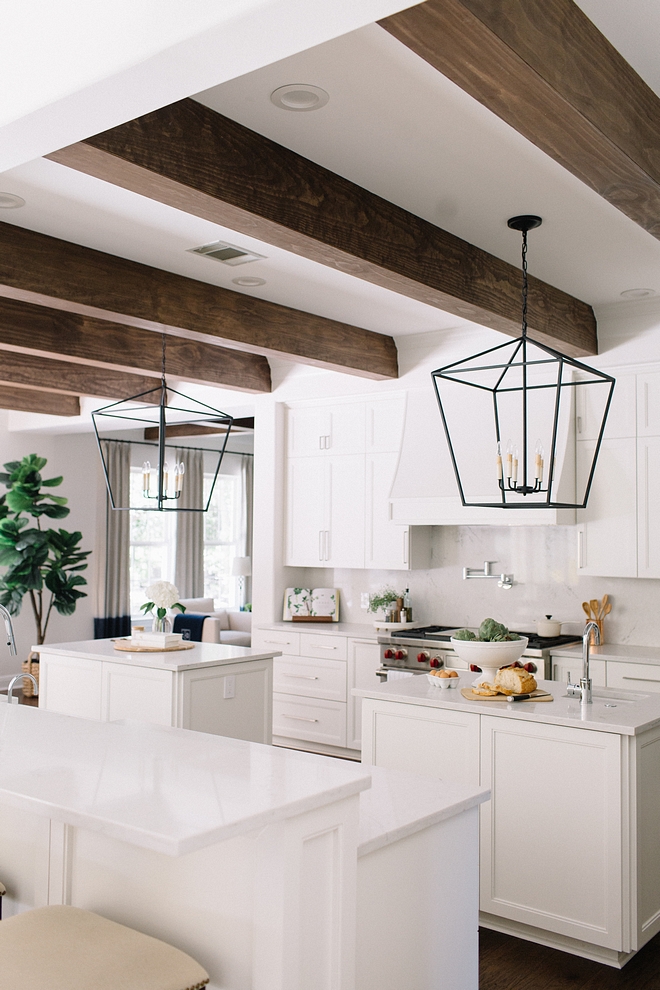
(221, 538)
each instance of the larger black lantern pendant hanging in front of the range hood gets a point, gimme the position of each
(509, 415)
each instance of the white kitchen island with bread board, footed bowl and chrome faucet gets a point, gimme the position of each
(569, 841)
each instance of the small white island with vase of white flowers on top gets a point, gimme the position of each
(226, 690)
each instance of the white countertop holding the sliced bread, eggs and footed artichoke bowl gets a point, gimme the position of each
(612, 710)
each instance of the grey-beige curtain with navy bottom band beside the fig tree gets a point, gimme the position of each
(113, 612)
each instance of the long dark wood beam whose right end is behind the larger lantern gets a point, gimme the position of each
(196, 160)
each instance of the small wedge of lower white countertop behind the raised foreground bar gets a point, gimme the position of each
(399, 804)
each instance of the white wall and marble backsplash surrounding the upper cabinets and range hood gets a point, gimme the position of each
(542, 559)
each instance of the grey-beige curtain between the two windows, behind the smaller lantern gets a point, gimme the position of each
(189, 563)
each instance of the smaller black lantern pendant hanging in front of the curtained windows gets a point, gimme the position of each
(161, 411)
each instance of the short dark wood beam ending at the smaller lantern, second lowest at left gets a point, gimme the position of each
(34, 372)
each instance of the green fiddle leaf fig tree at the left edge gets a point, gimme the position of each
(42, 563)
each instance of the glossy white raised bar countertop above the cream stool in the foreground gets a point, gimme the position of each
(169, 790)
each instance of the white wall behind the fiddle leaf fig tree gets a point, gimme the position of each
(73, 456)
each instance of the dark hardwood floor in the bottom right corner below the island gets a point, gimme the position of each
(507, 963)
